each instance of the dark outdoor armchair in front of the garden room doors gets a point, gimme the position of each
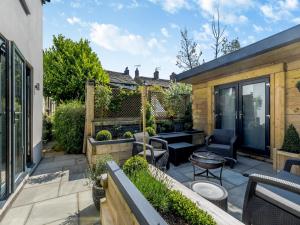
(223, 142)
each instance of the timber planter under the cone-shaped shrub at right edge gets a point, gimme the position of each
(279, 158)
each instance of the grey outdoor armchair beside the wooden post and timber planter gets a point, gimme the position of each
(157, 151)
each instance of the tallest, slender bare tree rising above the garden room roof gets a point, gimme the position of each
(218, 34)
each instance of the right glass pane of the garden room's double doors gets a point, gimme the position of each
(253, 115)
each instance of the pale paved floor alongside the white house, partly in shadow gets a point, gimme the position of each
(56, 193)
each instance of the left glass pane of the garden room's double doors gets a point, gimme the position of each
(226, 108)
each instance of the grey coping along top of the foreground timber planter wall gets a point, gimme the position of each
(138, 204)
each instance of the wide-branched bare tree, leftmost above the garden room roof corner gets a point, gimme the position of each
(188, 57)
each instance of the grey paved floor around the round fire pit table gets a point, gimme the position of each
(234, 180)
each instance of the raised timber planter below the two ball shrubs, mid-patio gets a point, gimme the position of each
(120, 149)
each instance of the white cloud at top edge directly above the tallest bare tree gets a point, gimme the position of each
(231, 11)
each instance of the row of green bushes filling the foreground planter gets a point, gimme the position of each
(156, 190)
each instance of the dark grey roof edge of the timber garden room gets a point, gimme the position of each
(276, 41)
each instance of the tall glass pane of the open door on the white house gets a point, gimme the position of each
(18, 104)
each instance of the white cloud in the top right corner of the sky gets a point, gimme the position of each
(278, 10)
